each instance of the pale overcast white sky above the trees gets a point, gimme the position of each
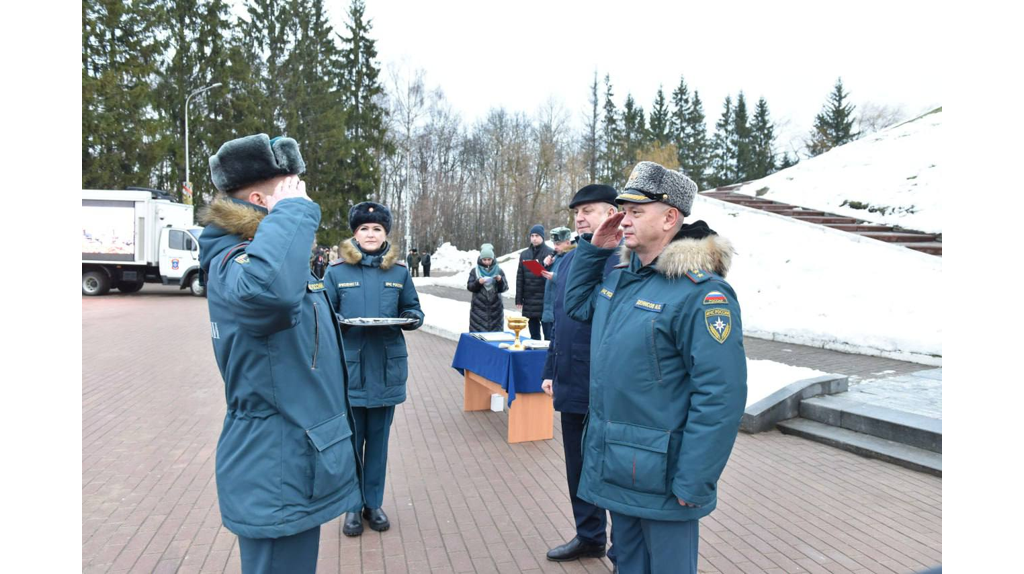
(521, 55)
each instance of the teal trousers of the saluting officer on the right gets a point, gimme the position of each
(655, 547)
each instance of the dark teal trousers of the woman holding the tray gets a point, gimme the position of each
(373, 428)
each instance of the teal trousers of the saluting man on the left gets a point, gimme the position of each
(288, 555)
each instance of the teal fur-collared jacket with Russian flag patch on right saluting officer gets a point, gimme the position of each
(668, 381)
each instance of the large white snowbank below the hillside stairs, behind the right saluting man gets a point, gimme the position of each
(810, 285)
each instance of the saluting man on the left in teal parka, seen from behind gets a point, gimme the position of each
(286, 462)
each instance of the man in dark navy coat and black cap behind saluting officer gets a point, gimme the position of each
(567, 376)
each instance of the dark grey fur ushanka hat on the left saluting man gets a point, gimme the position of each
(252, 159)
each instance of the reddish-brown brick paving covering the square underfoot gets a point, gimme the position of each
(460, 498)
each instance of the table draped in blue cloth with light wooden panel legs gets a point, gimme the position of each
(515, 375)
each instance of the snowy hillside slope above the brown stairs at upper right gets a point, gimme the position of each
(895, 170)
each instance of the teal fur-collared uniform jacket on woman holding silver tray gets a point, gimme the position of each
(374, 286)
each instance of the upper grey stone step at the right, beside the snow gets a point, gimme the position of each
(898, 426)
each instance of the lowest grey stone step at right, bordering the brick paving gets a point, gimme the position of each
(866, 446)
